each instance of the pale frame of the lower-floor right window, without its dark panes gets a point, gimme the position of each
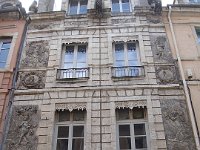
(131, 122)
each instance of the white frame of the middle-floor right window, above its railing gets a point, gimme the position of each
(126, 52)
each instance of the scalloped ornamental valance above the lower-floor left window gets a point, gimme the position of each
(71, 106)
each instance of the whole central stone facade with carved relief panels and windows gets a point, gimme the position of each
(99, 76)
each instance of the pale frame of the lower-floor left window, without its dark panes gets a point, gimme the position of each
(70, 124)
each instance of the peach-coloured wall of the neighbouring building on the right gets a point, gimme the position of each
(188, 46)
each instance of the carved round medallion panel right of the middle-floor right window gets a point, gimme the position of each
(166, 74)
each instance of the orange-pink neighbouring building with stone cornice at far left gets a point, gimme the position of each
(12, 23)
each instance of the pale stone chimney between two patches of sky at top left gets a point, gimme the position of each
(45, 5)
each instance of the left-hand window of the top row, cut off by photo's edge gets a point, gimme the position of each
(77, 7)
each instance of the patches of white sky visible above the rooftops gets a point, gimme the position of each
(57, 6)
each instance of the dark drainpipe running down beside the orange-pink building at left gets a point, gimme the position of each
(13, 86)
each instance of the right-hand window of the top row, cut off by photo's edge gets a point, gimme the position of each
(121, 6)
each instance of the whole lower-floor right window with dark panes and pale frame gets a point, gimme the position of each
(132, 129)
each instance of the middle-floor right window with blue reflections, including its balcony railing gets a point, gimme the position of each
(126, 60)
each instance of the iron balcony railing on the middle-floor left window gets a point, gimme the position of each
(72, 73)
